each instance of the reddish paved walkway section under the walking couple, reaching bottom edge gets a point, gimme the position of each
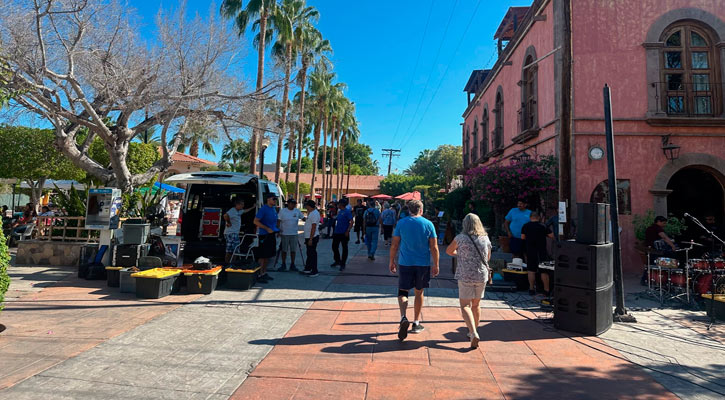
(350, 350)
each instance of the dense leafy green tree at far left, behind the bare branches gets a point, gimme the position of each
(36, 158)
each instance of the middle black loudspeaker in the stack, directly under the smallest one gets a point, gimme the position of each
(585, 266)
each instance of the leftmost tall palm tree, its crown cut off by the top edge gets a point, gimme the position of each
(242, 15)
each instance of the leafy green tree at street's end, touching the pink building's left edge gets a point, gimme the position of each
(438, 166)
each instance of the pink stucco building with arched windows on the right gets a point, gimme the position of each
(665, 63)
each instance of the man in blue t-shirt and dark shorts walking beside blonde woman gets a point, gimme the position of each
(416, 239)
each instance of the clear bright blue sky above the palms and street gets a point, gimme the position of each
(376, 46)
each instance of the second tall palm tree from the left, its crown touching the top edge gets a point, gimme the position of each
(285, 21)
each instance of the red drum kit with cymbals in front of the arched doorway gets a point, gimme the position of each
(668, 280)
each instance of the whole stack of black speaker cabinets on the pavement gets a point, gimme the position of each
(584, 271)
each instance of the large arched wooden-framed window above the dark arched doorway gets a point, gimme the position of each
(688, 72)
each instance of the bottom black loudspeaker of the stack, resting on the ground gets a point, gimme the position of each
(583, 310)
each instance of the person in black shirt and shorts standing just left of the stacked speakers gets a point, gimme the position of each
(534, 233)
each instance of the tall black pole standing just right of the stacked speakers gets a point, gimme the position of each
(613, 204)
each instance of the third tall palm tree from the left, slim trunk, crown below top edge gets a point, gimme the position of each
(310, 46)
